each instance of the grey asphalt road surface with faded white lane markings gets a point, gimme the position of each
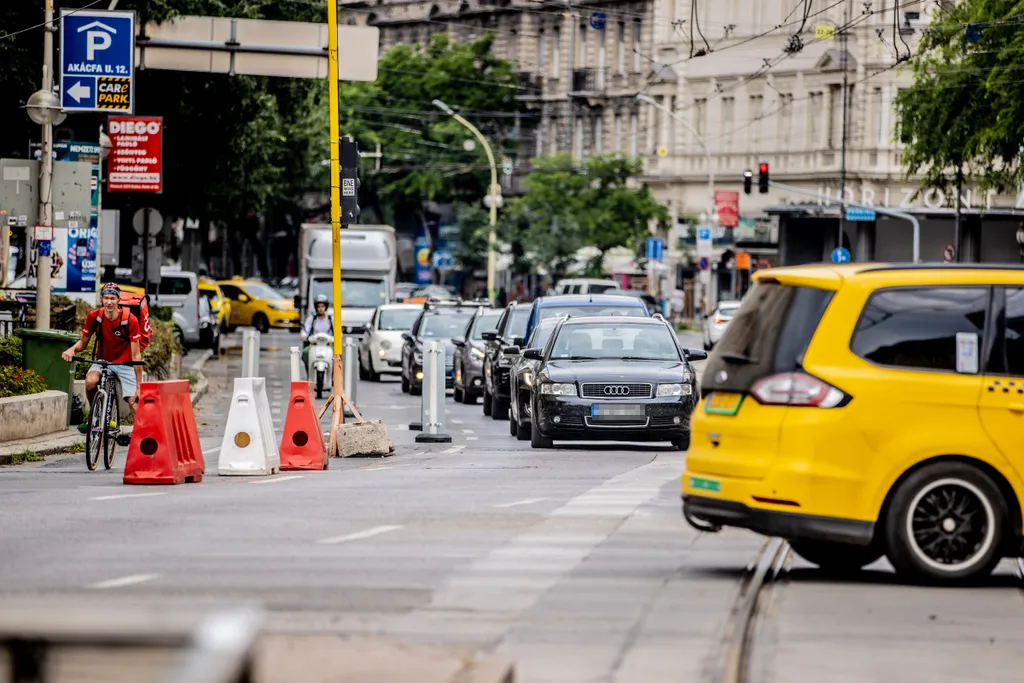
(575, 562)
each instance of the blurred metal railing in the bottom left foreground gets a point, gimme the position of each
(36, 647)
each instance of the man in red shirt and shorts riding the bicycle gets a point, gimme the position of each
(118, 341)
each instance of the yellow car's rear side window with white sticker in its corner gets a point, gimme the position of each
(922, 327)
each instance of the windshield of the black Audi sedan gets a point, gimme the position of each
(629, 343)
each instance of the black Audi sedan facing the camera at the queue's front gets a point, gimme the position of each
(614, 378)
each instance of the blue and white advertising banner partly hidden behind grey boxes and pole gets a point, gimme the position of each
(73, 255)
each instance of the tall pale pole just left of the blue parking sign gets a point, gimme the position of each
(46, 182)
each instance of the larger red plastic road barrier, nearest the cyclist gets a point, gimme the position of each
(164, 445)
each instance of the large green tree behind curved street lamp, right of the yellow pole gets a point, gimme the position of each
(424, 159)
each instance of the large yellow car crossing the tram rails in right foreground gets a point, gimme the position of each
(870, 410)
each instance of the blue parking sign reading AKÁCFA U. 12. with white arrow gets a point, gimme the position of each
(98, 61)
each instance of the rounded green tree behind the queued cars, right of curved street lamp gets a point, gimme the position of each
(569, 206)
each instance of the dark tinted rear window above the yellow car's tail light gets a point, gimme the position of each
(770, 334)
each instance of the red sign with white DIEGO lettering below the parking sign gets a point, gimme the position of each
(137, 161)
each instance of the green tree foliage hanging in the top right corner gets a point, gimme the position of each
(964, 115)
